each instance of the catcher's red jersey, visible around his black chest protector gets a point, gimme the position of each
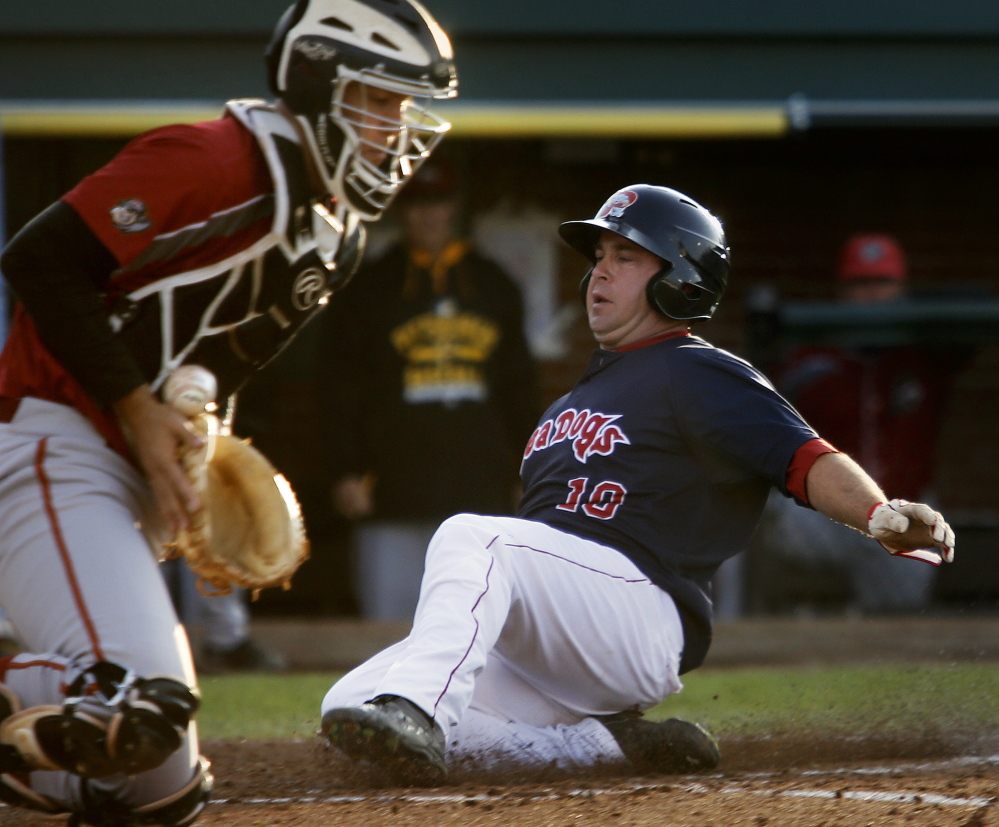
(165, 182)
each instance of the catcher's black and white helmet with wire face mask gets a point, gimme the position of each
(320, 47)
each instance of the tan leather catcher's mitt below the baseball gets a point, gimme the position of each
(248, 531)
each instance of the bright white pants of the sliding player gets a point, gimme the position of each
(521, 633)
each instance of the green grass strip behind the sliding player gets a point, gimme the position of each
(734, 703)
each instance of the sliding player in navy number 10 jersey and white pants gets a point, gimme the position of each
(539, 639)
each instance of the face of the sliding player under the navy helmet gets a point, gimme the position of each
(618, 311)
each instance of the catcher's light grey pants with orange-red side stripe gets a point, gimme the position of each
(79, 580)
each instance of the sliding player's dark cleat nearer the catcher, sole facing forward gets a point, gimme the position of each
(392, 733)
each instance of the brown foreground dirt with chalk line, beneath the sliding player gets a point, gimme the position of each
(794, 781)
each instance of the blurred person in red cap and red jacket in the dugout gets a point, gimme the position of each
(873, 403)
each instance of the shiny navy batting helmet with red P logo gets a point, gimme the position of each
(667, 223)
